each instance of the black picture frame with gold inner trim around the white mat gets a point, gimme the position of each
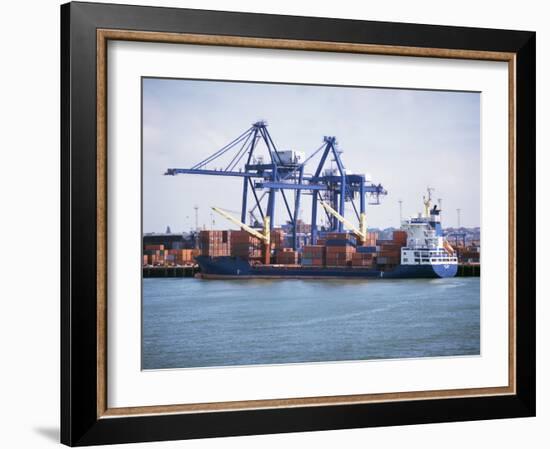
(86, 29)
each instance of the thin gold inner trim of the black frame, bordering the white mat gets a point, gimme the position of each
(103, 36)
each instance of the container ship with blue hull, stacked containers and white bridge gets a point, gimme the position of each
(417, 250)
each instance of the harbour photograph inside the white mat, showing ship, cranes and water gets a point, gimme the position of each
(299, 223)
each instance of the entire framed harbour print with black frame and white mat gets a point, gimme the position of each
(278, 224)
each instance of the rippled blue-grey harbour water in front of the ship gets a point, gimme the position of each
(198, 323)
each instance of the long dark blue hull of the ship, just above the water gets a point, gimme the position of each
(229, 267)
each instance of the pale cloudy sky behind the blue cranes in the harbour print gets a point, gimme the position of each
(405, 139)
